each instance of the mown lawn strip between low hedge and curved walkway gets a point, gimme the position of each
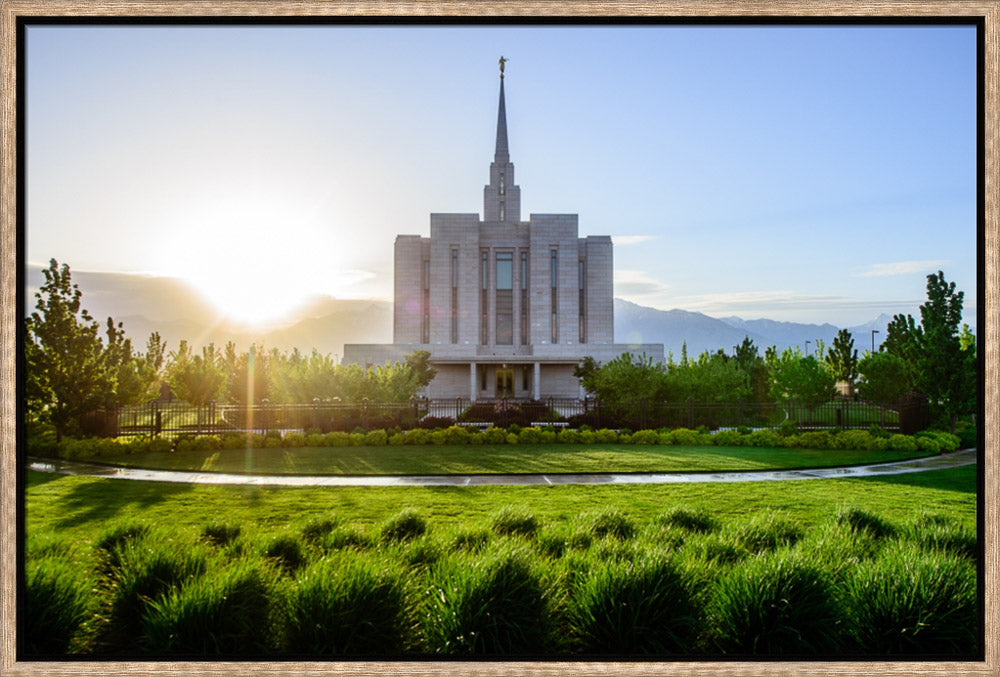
(462, 459)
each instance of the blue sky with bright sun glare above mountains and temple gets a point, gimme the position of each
(813, 174)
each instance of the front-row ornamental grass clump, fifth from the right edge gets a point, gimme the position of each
(354, 606)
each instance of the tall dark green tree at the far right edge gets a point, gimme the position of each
(941, 368)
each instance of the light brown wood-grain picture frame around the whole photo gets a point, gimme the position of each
(14, 10)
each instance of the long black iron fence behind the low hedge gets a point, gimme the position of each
(179, 418)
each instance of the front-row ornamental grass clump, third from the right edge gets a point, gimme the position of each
(630, 607)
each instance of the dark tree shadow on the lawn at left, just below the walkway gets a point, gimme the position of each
(100, 501)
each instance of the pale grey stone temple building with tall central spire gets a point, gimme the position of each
(506, 307)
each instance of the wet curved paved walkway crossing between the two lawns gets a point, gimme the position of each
(958, 458)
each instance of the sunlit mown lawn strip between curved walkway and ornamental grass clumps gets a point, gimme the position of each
(76, 508)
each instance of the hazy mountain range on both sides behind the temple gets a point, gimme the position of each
(169, 306)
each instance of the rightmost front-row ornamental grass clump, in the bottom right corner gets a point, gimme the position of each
(911, 601)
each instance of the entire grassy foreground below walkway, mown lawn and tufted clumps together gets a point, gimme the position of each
(500, 570)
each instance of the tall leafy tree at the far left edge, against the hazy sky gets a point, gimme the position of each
(65, 375)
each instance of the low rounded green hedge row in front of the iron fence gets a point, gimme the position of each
(866, 440)
